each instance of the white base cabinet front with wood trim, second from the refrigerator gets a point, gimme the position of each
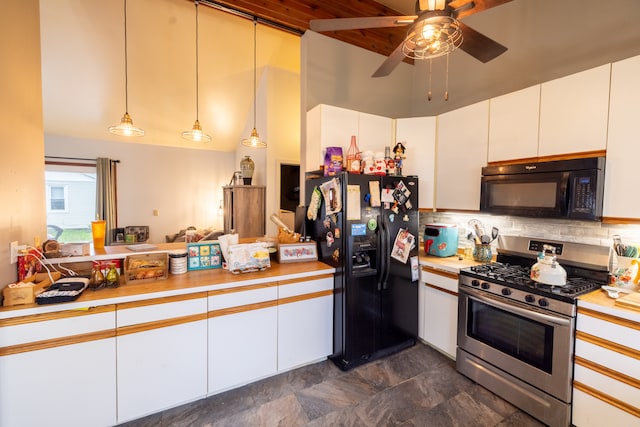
(243, 335)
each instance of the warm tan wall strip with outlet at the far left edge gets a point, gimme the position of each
(22, 206)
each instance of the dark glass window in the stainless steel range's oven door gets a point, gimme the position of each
(525, 339)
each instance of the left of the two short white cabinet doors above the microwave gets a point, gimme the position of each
(513, 125)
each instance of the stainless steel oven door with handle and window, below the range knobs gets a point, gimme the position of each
(526, 342)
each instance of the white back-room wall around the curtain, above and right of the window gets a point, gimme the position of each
(184, 185)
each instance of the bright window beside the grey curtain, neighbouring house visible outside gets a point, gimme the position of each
(71, 201)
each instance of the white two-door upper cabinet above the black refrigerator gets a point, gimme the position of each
(329, 126)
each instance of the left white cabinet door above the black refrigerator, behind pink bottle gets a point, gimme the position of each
(328, 126)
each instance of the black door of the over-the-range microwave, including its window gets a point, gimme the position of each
(543, 195)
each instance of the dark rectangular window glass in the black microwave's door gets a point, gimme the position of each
(523, 194)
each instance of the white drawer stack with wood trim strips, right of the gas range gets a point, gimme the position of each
(606, 385)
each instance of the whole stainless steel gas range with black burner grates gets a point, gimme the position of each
(516, 336)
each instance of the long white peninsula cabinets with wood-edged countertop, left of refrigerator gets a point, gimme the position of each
(126, 352)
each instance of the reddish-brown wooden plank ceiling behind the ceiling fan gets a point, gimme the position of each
(296, 14)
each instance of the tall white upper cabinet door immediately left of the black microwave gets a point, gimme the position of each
(461, 154)
